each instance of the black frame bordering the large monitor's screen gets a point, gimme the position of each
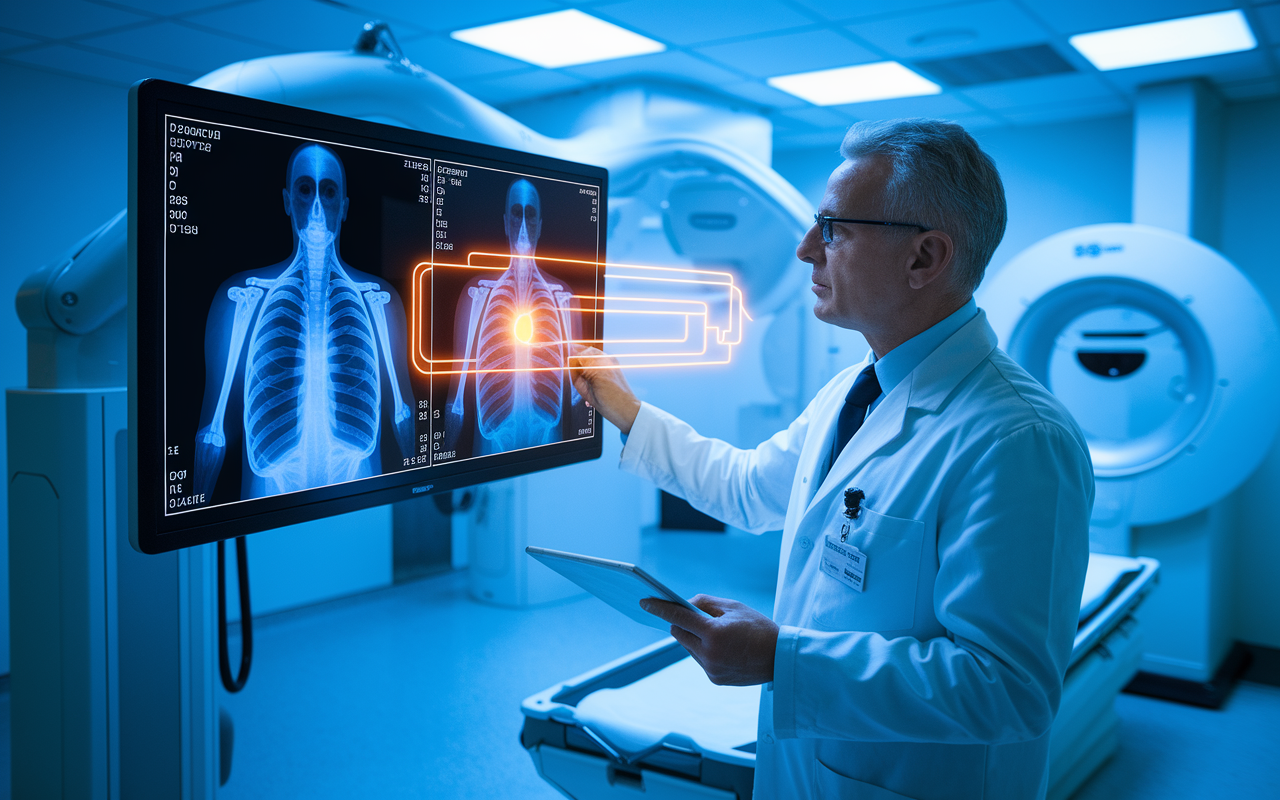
(157, 533)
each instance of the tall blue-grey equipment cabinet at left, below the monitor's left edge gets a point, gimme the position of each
(113, 652)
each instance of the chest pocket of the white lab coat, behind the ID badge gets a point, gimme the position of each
(888, 602)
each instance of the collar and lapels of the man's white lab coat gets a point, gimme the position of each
(926, 388)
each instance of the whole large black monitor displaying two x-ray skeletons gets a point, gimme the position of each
(330, 314)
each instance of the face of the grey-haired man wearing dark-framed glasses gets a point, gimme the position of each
(861, 278)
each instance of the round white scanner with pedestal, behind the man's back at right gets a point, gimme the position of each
(1168, 358)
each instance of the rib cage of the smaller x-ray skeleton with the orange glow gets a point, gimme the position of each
(519, 408)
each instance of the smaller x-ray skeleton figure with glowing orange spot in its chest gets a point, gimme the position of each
(518, 330)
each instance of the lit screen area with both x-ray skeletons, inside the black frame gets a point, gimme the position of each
(336, 313)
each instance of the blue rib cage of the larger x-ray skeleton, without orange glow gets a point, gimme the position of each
(312, 390)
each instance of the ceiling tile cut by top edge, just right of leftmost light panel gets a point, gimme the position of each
(687, 24)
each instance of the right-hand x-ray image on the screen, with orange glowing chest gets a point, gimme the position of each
(515, 323)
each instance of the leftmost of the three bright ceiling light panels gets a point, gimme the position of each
(561, 39)
